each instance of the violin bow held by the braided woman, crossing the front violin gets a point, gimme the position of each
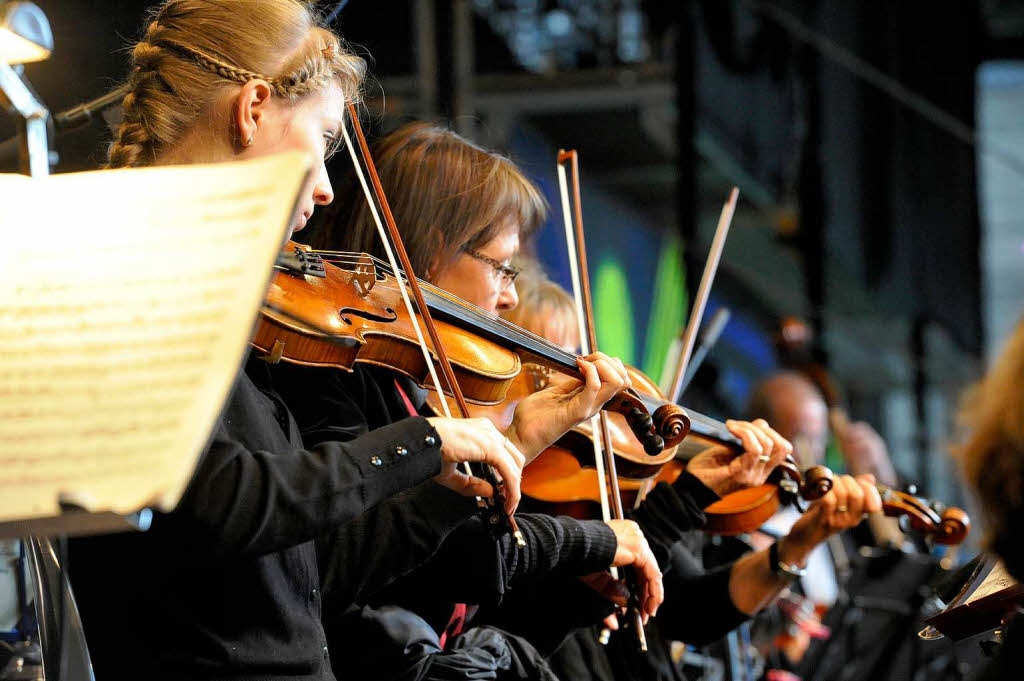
(394, 246)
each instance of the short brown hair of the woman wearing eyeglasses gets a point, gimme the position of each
(447, 194)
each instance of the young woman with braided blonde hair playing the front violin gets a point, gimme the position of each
(228, 585)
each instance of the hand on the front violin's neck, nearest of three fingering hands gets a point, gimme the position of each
(545, 416)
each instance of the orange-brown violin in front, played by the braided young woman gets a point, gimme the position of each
(336, 310)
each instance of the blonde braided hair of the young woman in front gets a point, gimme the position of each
(192, 49)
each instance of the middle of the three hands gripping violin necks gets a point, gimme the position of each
(724, 473)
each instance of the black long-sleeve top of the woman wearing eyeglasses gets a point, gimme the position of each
(337, 406)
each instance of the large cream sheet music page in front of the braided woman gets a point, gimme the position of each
(127, 300)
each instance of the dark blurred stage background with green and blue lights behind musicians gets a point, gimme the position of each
(858, 214)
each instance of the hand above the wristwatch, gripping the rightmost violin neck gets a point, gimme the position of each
(842, 508)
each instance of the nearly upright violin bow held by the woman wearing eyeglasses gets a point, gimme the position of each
(605, 458)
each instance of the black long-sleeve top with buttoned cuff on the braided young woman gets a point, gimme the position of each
(228, 585)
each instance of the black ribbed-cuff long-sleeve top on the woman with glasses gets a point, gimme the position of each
(346, 405)
